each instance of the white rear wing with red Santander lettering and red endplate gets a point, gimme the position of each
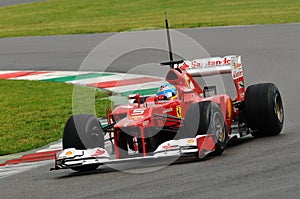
(216, 66)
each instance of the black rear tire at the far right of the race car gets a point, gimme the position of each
(264, 113)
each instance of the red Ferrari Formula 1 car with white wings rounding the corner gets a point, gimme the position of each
(181, 120)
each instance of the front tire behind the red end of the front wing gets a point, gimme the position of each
(206, 118)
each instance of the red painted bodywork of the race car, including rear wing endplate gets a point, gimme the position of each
(140, 119)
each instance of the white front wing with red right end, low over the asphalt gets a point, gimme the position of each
(200, 146)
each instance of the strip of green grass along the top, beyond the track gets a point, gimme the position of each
(90, 16)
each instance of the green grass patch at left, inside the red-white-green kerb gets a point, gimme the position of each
(33, 113)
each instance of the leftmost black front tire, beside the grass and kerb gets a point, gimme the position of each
(83, 132)
